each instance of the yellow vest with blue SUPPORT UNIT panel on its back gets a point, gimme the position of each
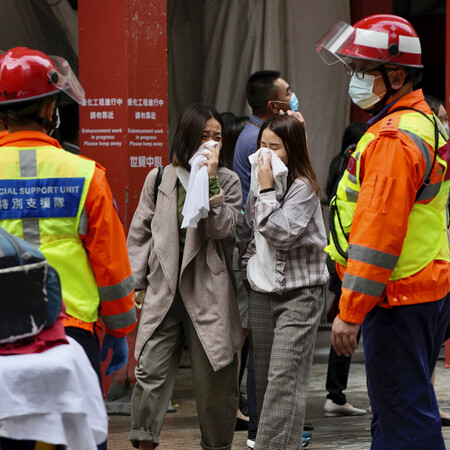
(42, 196)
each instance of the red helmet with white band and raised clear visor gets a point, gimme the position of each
(381, 38)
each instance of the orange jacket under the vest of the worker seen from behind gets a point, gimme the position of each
(104, 243)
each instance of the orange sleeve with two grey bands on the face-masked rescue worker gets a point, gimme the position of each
(392, 169)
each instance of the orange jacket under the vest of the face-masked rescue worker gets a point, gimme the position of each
(392, 171)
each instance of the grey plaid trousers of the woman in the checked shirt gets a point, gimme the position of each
(283, 330)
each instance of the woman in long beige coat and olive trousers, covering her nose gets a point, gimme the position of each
(190, 297)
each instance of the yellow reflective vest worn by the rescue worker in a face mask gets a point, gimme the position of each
(426, 237)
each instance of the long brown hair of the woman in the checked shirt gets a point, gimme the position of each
(292, 132)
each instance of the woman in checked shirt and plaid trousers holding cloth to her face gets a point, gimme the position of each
(285, 267)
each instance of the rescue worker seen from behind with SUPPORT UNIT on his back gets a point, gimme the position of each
(62, 204)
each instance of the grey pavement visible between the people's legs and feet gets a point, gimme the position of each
(181, 431)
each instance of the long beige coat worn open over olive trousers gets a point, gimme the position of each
(205, 278)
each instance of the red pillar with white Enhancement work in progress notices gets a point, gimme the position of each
(124, 119)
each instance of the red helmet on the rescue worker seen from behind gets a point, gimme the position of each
(27, 74)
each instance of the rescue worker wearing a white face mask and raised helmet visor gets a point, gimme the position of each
(389, 231)
